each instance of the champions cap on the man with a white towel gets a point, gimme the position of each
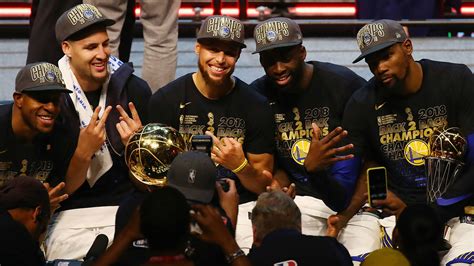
(78, 18)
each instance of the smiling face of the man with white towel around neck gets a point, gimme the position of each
(88, 58)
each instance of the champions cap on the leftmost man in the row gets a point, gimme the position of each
(39, 77)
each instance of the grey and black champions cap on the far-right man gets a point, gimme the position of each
(379, 35)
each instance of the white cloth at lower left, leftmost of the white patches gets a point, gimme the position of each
(72, 232)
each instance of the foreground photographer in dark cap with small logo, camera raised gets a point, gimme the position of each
(193, 173)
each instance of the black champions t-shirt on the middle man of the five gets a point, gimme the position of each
(242, 114)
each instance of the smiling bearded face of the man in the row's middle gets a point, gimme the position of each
(216, 61)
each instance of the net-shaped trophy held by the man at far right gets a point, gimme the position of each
(444, 162)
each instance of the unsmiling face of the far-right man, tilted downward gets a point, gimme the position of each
(390, 66)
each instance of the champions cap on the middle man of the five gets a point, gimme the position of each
(222, 28)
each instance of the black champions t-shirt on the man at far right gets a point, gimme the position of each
(396, 130)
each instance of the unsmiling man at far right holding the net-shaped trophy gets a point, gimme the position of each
(394, 115)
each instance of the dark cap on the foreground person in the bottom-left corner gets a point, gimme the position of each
(24, 192)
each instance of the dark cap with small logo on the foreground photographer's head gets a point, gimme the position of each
(194, 174)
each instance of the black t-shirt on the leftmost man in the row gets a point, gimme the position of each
(42, 159)
